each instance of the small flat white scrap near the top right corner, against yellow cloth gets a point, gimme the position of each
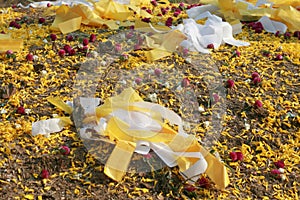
(272, 26)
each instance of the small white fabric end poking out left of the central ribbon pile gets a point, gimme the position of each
(45, 127)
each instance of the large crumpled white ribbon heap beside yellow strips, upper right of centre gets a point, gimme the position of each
(214, 31)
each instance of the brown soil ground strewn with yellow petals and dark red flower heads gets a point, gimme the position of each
(258, 141)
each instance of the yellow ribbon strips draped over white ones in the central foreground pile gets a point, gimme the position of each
(126, 139)
